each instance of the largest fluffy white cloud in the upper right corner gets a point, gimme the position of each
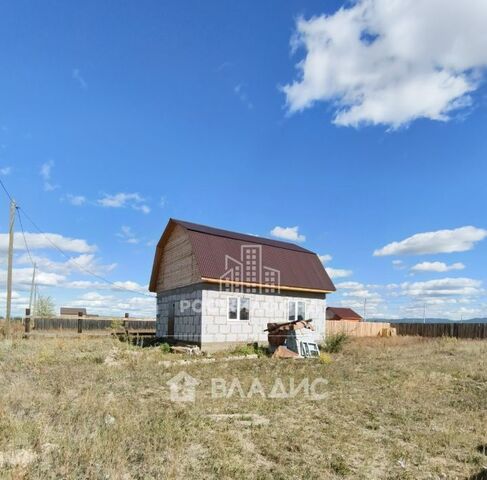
(391, 62)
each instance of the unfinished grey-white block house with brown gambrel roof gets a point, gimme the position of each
(217, 288)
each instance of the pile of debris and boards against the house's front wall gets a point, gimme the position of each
(296, 339)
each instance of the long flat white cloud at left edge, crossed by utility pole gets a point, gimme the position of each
(46, 241)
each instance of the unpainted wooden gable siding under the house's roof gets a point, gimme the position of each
(178, 266)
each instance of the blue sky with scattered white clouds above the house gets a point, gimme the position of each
(356, 129)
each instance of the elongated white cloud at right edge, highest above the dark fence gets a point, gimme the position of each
(441, 241)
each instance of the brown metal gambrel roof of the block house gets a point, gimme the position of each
(299, 268)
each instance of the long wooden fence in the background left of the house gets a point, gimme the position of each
(91, 323)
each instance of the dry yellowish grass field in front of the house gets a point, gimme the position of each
(396, 408)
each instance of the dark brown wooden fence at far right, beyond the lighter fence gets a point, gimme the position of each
(457, 330)
